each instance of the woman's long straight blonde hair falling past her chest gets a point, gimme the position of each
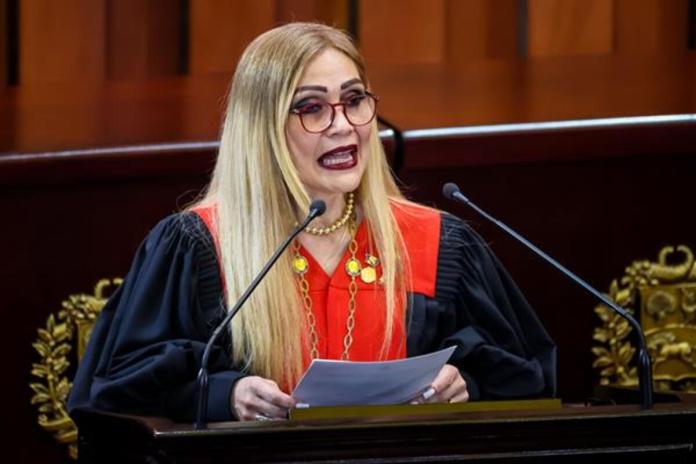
(258, 196)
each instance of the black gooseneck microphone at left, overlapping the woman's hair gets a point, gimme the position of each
(316, 209)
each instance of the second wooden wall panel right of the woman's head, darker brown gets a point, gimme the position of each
(479, 29)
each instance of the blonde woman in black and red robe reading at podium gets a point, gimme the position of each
(374, 278)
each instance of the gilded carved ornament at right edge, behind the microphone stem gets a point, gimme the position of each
(664, 295)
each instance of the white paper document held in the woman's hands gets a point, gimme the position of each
(345, 383)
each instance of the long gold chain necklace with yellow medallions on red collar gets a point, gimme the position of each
(300, 265)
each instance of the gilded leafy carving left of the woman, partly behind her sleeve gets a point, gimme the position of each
(71, 327)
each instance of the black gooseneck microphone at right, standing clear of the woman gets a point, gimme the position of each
(451, 190)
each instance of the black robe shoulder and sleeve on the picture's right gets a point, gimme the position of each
(503, 350)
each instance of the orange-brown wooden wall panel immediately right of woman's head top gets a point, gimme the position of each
(403, 31)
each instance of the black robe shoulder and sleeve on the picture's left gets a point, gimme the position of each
(145, 349)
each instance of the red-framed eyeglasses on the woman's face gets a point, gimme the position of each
(317, 115)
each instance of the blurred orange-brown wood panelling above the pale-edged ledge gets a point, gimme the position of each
(80, 73)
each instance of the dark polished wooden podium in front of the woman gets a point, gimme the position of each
(563, 434)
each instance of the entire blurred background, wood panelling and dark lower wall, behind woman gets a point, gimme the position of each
(572, 120)
